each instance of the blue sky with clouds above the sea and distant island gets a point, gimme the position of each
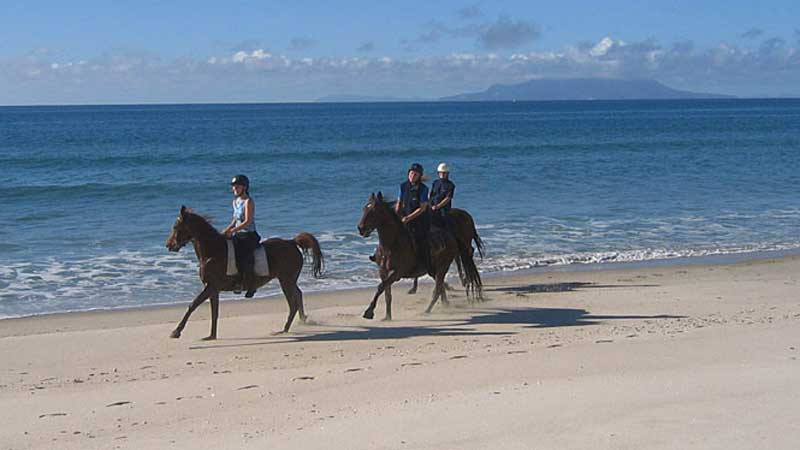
(202, 51)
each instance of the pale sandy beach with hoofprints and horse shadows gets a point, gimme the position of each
(698, 356)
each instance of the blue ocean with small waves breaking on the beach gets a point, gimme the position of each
(88, 194)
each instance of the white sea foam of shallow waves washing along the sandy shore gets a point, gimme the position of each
(132, 279)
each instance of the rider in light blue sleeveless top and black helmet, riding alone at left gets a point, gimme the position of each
(243, 231)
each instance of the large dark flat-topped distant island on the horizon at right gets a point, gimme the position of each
(580, 89)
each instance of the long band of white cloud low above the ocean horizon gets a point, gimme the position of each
(260, 75)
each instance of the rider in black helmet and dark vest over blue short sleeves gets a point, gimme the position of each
(412, 206)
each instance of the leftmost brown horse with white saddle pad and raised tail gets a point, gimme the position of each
(283, 257)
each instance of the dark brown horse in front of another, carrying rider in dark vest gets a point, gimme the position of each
(397, 259)
